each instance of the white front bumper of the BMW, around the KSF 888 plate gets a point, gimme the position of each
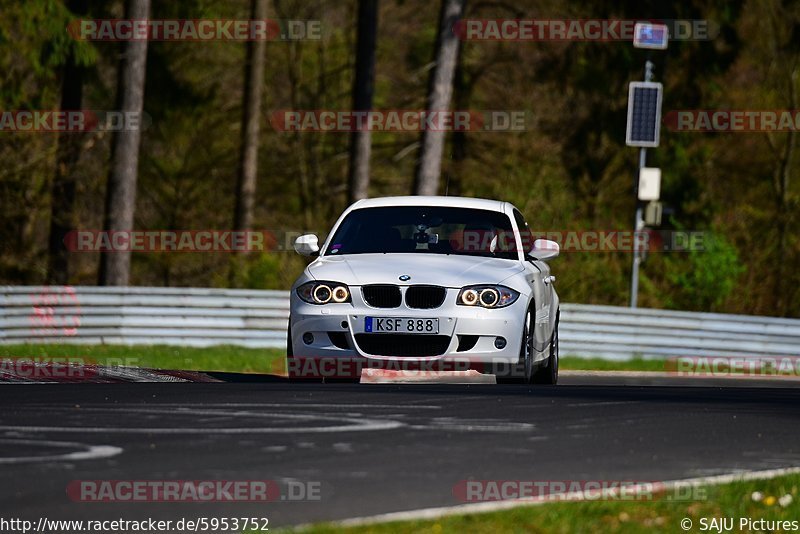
(466, 334)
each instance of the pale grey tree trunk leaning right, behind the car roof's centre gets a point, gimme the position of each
(440, 89)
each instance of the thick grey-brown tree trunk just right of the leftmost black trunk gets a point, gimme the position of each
(115, 267)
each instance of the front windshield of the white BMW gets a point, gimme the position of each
(424, 230)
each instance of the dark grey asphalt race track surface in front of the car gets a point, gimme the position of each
(379, 448)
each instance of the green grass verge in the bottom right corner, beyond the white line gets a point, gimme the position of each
(658, 515)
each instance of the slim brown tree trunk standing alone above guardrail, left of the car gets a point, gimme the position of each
(251, 128)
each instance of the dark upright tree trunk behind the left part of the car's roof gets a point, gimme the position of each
(363, 87)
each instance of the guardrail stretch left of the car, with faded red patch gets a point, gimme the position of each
(144, 315)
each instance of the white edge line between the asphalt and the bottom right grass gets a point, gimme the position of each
(485, 507)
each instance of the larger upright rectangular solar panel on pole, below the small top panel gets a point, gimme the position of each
(644, 114)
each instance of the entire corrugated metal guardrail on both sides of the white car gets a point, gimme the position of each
(251, 318)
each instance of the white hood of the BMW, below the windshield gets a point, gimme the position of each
(434, 269)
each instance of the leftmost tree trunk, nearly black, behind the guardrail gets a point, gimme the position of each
(62, 207)
